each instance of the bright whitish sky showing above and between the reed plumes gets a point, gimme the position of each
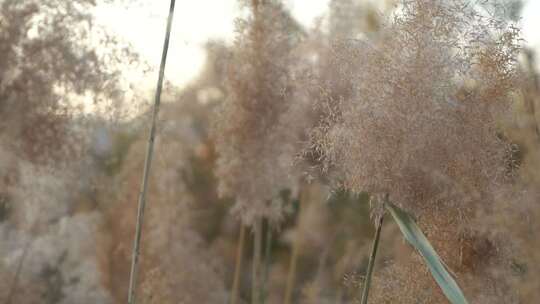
(196, 21)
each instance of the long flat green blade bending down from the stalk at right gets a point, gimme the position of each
(418, 240)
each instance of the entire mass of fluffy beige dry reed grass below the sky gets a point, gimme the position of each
(426, 102)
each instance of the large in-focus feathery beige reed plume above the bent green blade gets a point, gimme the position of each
(421, 124)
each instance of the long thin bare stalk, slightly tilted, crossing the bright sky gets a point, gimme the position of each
(148, 161)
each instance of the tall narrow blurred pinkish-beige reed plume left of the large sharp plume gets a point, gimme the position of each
(254, 150)
